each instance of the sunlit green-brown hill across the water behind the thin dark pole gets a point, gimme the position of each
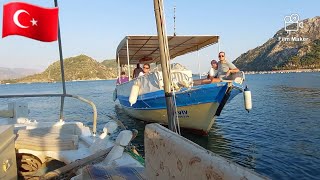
(81, 67)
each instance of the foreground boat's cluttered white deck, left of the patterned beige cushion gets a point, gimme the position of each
(57, 150)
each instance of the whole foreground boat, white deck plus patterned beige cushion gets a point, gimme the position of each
(81, 155)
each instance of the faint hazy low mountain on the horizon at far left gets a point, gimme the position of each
(12, 73)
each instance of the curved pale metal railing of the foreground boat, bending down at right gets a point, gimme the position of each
(95, 114)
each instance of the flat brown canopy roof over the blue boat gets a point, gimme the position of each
(145, 49)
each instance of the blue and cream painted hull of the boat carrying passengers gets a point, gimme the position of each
(196, 106)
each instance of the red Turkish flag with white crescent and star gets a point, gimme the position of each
(31, 21)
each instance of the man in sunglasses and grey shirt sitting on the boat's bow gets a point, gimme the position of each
(226, 69)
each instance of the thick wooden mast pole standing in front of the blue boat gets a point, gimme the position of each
(165, 57)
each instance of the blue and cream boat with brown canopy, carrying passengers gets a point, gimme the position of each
(144, 98)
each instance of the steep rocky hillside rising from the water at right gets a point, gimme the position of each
(297, 50)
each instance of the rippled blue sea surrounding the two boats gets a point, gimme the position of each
(279, 138)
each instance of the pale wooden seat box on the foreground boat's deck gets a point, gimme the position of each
(47, 139)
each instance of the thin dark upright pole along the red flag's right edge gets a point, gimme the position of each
(61, 67)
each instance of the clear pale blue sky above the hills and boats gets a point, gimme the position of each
(95, 28)
